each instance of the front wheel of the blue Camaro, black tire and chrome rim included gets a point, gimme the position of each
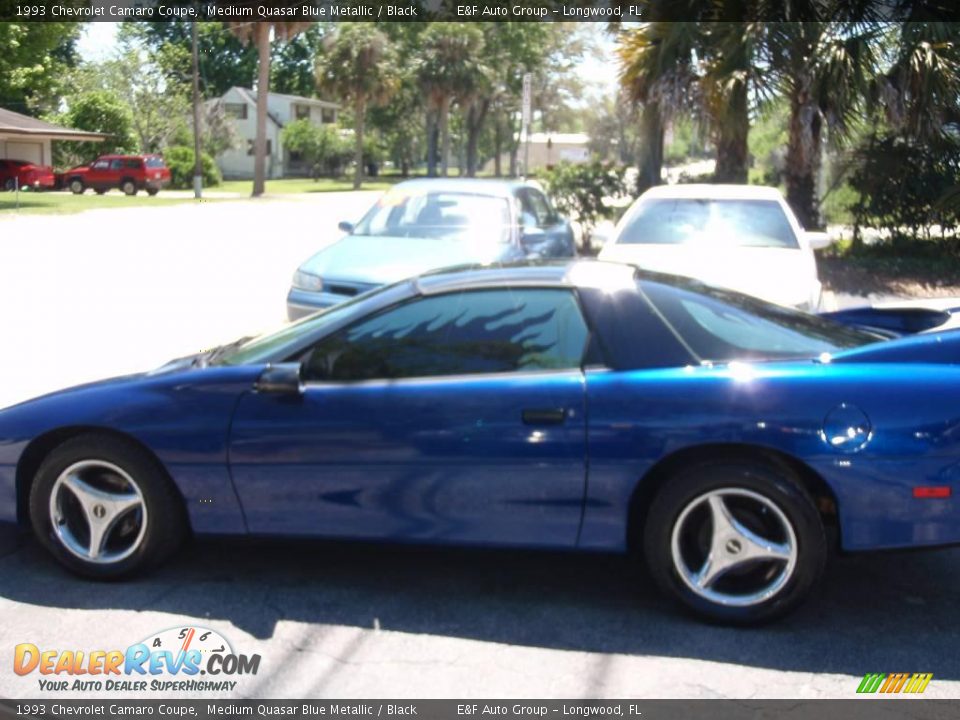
(104, 508)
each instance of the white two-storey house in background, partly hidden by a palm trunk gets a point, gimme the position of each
(241, 105)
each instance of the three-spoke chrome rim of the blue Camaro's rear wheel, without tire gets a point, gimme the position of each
(733, 547)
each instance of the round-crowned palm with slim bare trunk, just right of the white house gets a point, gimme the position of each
(357, 65)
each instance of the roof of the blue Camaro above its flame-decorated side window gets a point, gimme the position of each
(556, 274)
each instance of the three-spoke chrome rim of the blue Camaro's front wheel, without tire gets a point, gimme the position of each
(98, 512)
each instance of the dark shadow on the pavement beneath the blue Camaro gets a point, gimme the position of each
(891, 612)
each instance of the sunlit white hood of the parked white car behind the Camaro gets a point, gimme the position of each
(786, 276)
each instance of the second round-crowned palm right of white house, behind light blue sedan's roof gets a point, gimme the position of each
(447, 71)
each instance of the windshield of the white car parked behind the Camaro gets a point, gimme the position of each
(690, 221)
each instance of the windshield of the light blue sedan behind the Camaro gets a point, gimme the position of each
(419, 213)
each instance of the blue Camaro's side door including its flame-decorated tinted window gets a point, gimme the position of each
(449, 418)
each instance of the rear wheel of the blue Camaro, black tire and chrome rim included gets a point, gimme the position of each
(735, 542)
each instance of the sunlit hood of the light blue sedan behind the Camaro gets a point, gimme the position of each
(382, 260)
